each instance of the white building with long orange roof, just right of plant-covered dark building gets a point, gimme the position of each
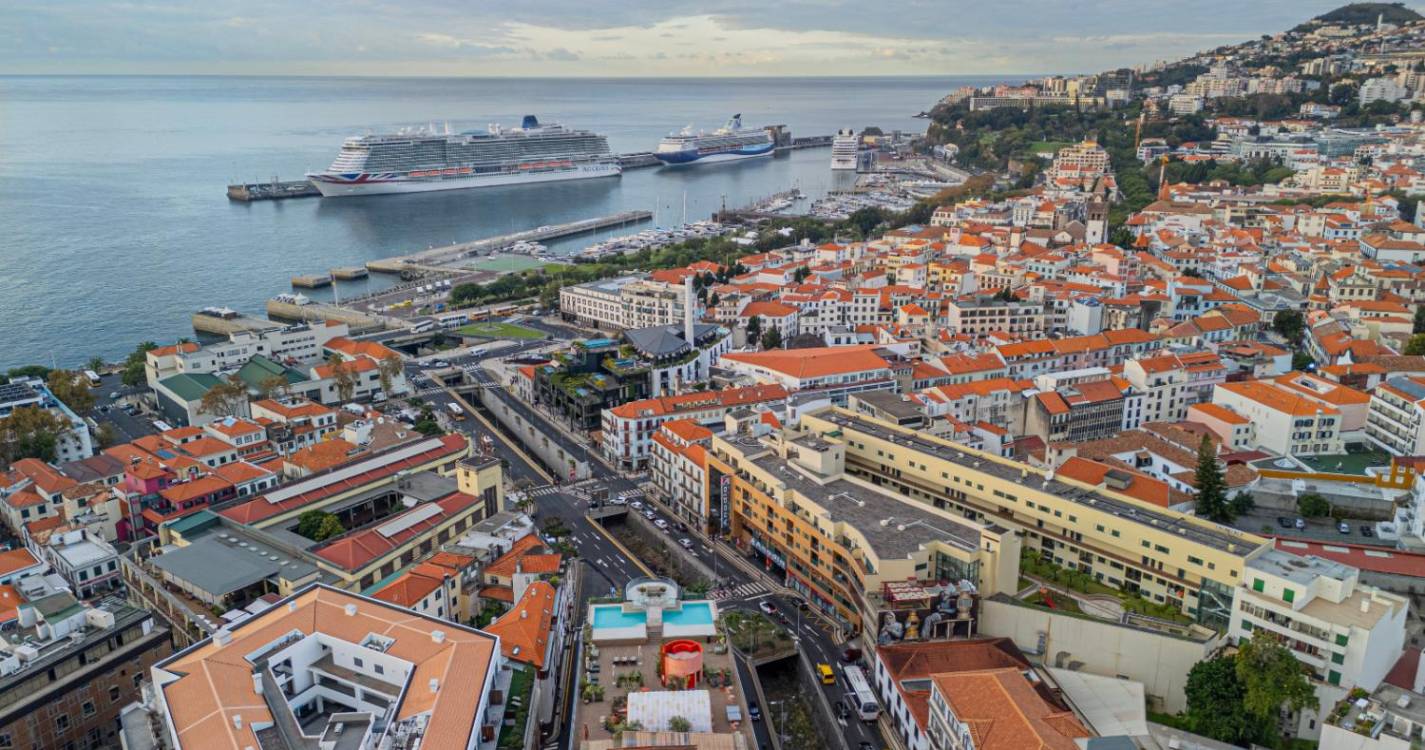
(628, 430)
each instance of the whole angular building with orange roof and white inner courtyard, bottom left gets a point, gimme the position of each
(330, 668)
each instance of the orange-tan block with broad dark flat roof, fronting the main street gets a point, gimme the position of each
(860, 554)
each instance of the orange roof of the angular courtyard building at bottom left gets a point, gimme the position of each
(213, 684)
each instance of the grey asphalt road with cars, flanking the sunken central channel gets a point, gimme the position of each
(608, 568)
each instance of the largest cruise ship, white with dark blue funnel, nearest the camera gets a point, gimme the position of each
(425, 160)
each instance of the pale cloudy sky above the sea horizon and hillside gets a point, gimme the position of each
(623, 38)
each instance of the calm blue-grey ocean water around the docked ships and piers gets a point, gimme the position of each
(115, 226)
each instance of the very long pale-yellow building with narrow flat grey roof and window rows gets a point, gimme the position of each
(1122, 543)
